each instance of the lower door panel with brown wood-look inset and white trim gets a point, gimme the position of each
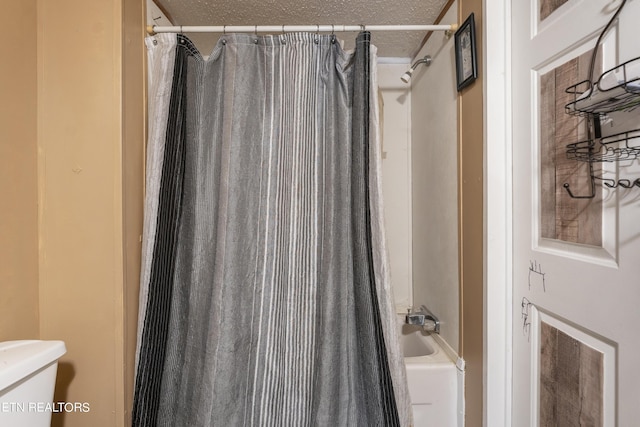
(573, 374)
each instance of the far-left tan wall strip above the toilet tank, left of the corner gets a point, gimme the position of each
(18, 173)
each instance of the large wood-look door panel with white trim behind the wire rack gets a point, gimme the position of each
(560, 221)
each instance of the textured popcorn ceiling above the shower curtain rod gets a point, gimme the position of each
(306, 12)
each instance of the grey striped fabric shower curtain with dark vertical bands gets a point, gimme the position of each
(265, 294)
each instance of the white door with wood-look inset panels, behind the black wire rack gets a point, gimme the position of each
(576, 262)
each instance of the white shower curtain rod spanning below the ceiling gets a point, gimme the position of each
(294, 28)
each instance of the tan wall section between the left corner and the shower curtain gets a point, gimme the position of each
(90, 181)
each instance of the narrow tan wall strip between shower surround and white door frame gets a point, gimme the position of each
(471, 226)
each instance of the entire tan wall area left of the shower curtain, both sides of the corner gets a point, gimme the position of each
(72, 236)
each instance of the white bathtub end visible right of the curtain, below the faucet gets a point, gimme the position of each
(433, 378)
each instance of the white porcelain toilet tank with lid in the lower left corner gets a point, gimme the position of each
(27, 380)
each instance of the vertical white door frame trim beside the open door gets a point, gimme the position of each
(498, 177)
